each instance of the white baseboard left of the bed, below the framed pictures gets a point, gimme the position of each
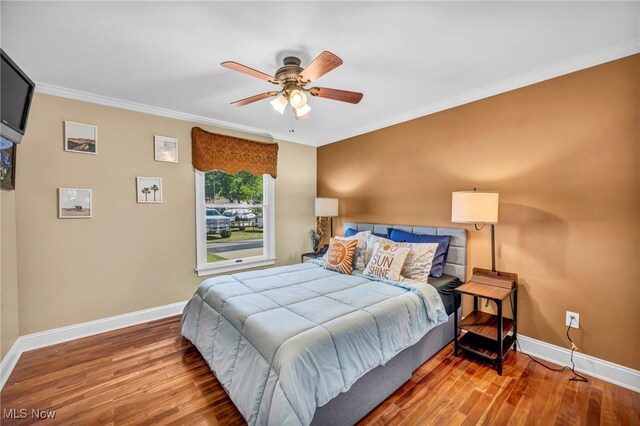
(64, 334)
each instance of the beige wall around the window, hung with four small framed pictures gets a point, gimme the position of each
(129, 256)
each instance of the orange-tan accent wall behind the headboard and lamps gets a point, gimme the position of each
(564, 155)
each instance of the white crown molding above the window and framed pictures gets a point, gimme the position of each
(79, 95)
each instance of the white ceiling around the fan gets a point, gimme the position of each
(409, 59)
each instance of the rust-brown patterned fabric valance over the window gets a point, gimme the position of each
(211, 151)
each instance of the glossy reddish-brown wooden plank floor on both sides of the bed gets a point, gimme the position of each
(149, 374)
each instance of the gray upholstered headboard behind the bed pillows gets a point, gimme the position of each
(456, 259)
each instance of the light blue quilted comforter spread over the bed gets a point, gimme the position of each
(285, 340)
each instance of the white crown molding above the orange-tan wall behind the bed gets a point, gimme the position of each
(599, 57)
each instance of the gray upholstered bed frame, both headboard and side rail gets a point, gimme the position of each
(378, 384)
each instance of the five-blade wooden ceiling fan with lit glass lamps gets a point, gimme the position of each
(293, 79)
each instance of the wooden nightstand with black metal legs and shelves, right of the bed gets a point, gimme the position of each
(487, 334)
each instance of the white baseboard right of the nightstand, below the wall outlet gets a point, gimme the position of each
(604, 370)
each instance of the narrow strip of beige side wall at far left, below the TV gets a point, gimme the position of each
(8, 272)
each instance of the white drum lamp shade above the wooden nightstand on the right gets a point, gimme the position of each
(474, 207)
